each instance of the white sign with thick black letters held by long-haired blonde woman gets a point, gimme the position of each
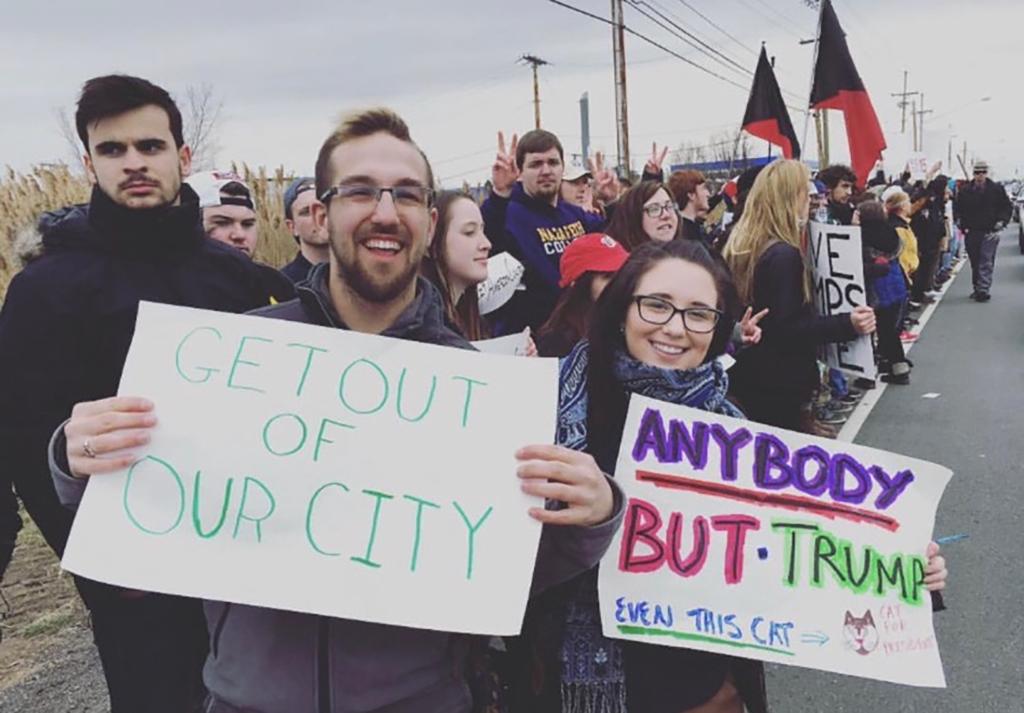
(839, 287)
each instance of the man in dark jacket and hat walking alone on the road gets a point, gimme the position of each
(984, 209)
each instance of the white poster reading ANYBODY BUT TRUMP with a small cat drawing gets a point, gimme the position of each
(762, 543)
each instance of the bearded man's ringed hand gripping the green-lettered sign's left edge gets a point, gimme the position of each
(102, 434)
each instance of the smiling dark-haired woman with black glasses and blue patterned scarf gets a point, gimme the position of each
(657, 331)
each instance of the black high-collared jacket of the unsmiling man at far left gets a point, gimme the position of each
(70, 316)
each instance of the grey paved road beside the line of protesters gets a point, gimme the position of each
(973, 356)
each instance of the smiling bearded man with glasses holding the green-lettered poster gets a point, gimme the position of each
(375, 187)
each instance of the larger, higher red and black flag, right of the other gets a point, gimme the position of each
(837, 86)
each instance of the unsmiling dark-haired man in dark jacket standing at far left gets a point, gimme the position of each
(65, 331)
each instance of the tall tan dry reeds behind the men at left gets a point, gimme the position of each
(25, 197)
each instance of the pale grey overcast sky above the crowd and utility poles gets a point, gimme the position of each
(286, 71)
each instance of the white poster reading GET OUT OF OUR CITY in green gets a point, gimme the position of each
(321, 471)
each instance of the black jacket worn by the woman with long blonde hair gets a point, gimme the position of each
(786, 360)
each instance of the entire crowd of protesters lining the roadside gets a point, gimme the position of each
(632, 286)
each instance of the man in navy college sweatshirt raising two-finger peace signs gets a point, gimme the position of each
(526, 217)
